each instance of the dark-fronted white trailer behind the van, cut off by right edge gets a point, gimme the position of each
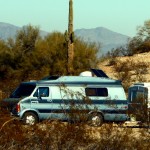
(139, 102)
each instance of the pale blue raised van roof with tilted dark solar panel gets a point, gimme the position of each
(97, 77)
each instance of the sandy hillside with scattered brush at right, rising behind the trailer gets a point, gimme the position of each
(130, 63)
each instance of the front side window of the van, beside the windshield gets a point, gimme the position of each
(43, 92)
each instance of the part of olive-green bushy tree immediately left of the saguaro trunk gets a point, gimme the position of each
(53, 54)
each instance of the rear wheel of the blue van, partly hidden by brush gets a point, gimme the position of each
(95, 119)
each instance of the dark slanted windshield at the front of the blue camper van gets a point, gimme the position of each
(24, 90)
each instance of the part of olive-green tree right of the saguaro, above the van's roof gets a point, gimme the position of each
(85, 55)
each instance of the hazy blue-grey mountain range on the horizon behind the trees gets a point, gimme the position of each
(106, 38)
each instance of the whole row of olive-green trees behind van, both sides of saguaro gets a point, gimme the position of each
(30, 57)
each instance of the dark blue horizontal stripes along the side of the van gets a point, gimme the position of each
(109, 110)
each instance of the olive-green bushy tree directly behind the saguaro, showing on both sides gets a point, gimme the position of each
(53, 54)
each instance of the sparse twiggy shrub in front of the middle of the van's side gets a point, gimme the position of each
(76, 105)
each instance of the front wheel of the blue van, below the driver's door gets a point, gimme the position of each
(30, 118)
